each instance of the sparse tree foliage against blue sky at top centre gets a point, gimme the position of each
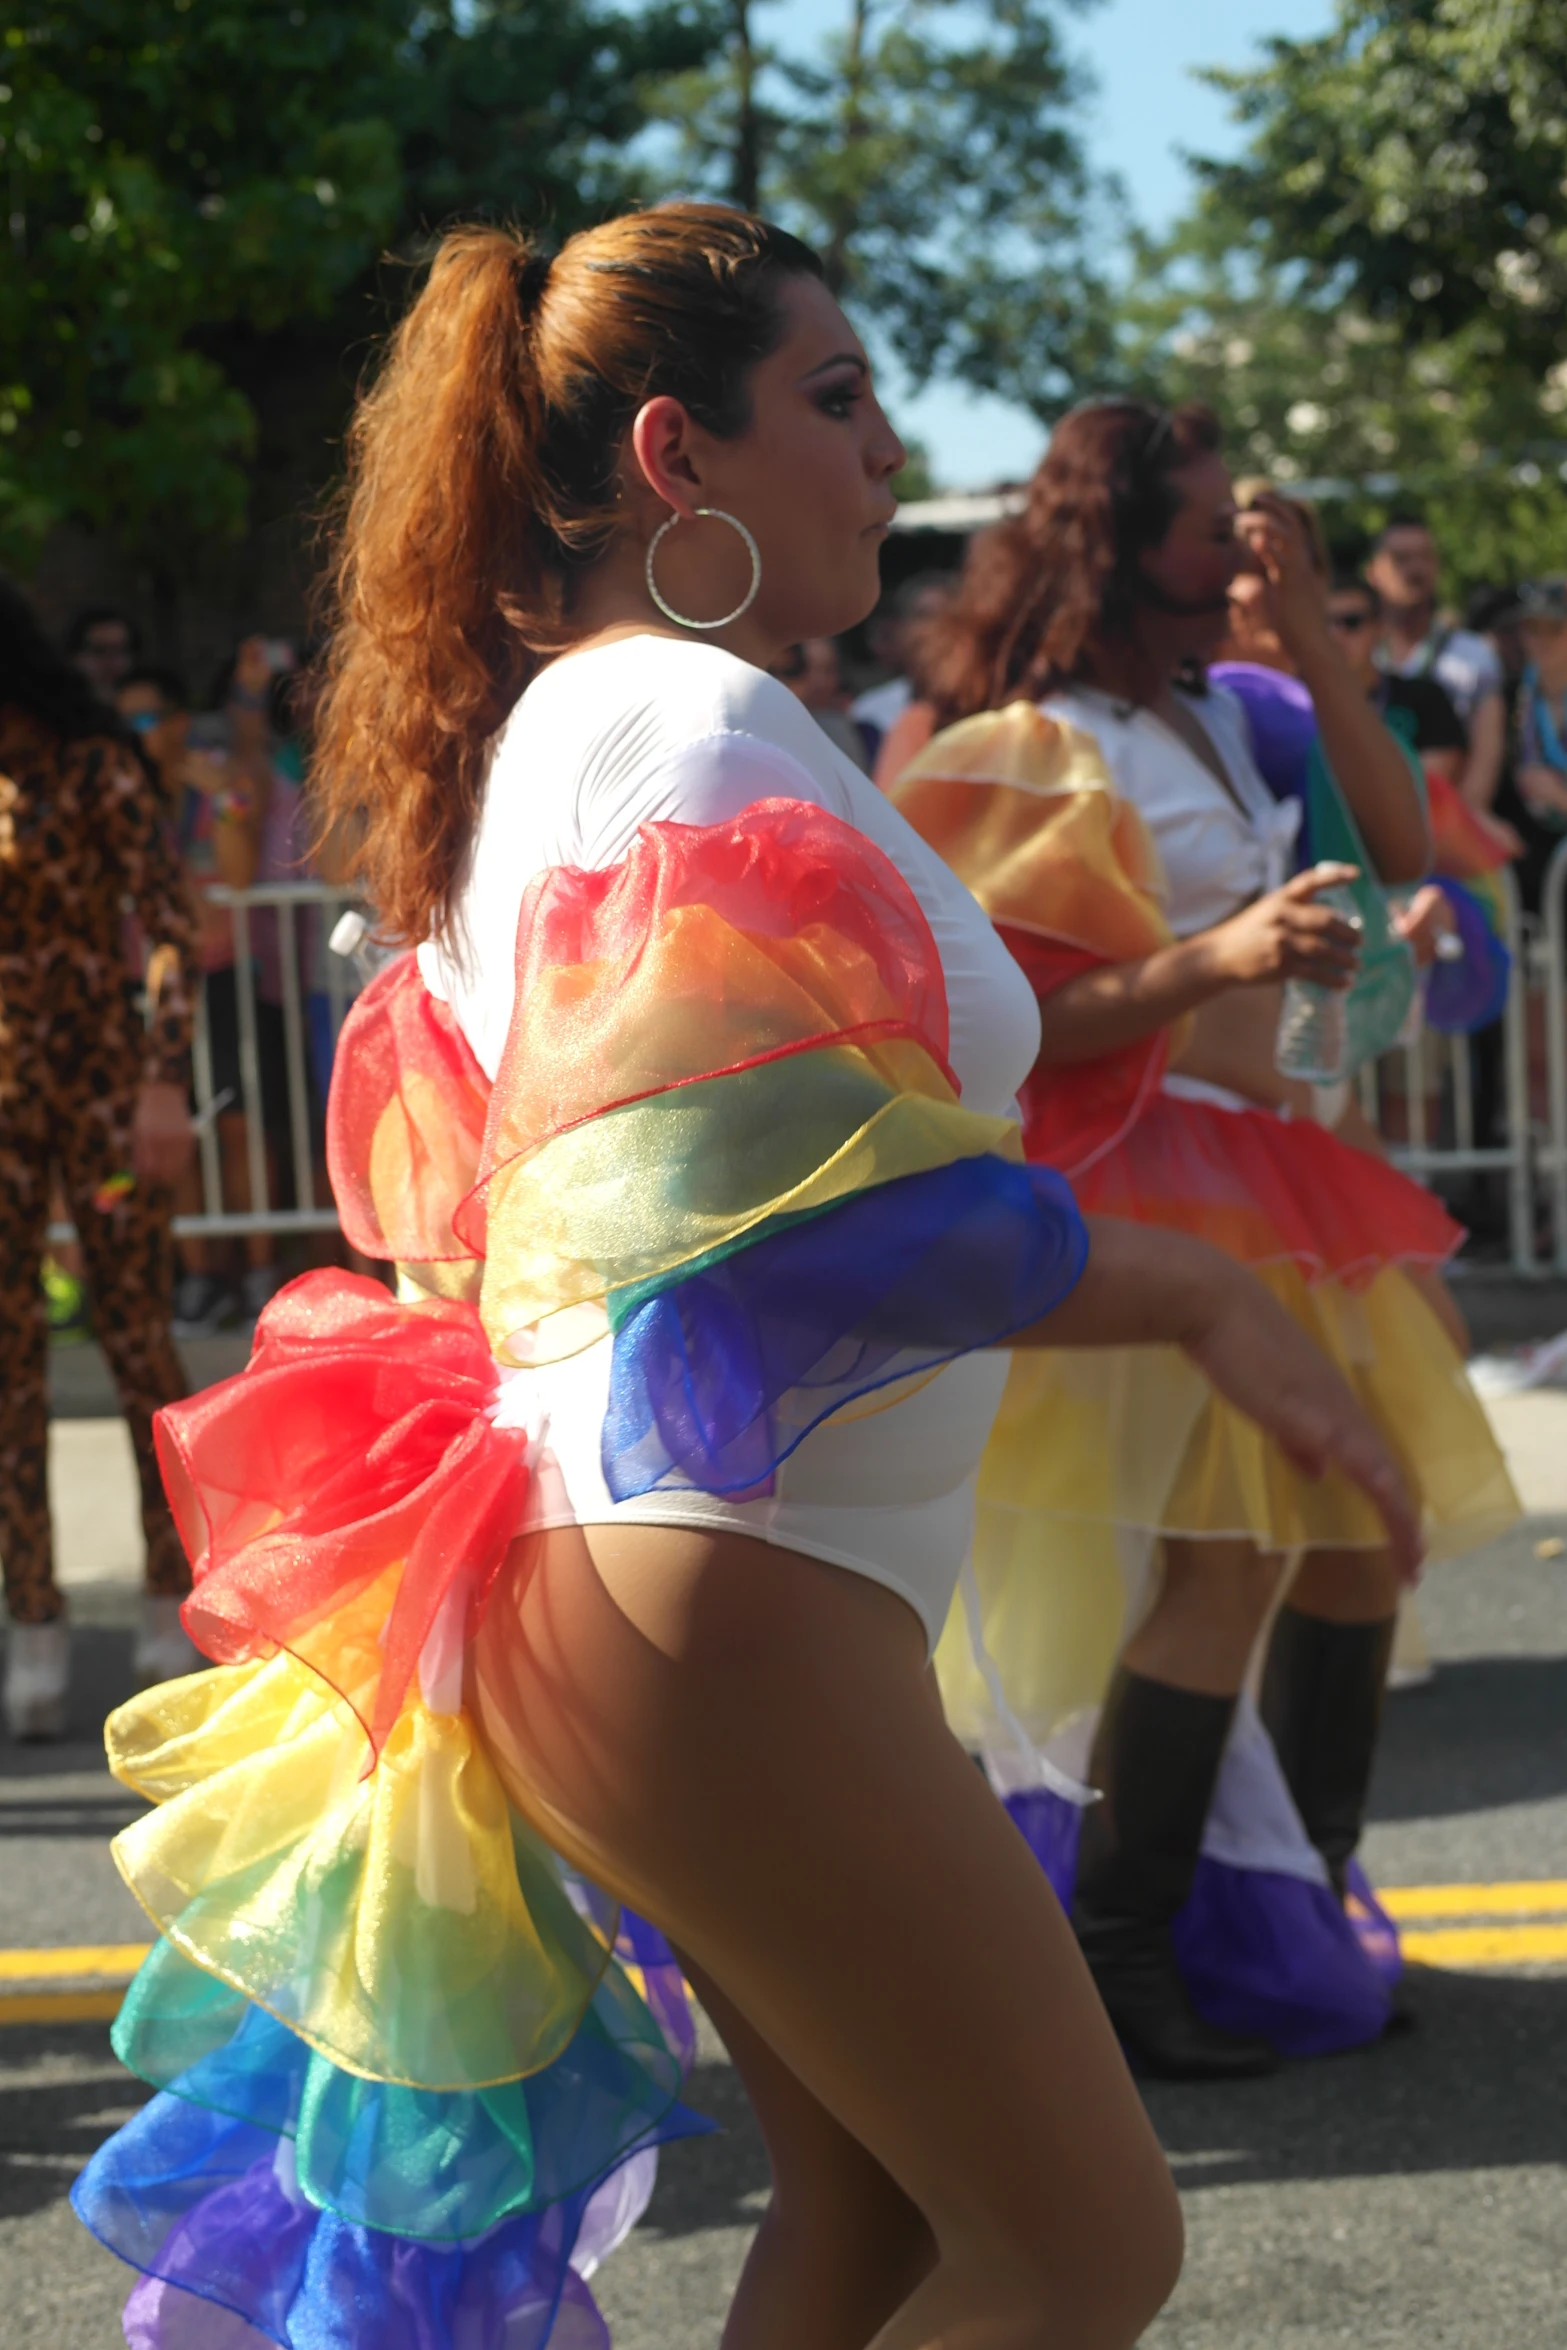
(932, 154)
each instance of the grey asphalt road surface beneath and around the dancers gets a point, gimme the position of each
(1411, 2198)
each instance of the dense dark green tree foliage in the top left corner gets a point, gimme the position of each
(201, 192)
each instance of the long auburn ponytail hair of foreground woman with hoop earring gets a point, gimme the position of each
(483, 474)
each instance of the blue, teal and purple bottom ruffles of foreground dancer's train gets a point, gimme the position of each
(328, 2213)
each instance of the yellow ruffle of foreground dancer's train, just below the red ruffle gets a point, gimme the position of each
(401, 1923)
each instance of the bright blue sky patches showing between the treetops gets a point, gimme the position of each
(1148, 109)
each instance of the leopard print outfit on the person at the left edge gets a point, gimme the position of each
(81, 845)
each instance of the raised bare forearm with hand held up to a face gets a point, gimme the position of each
(1361, 751)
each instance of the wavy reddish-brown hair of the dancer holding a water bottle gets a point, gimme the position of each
(1051, 593)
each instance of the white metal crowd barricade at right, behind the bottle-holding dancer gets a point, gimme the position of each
(1423, 1155)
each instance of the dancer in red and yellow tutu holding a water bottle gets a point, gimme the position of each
(1134, 1529)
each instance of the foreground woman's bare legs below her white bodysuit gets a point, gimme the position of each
(741, 1743)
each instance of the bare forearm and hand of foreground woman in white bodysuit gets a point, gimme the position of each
(1148, 1289)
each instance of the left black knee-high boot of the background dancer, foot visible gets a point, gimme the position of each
(1155, 1761)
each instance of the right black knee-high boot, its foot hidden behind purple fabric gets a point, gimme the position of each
(1321, 1705)
